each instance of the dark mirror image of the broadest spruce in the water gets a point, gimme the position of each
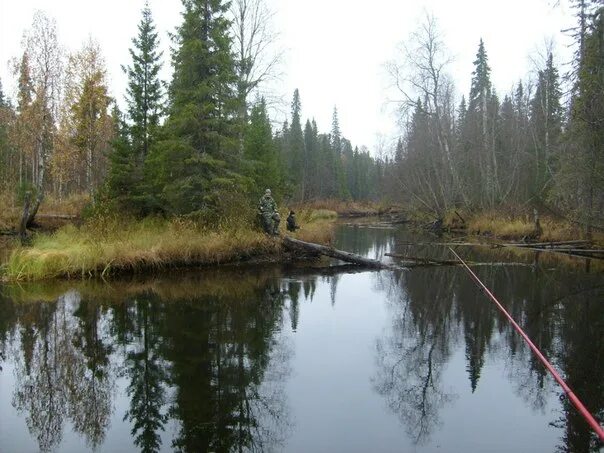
(219, 359)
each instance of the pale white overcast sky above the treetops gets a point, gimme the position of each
(335, 50)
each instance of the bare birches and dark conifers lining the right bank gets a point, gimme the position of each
(533, 146)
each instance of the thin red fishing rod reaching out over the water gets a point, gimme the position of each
(571, 395)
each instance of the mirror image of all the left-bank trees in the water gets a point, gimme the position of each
(204, 358)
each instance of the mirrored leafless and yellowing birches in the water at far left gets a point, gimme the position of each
(59, 374)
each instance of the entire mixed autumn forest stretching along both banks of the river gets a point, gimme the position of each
(203, 144)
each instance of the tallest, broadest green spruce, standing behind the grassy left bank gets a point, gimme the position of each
(196, 161)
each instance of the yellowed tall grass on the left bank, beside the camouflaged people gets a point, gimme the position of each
(107, 247)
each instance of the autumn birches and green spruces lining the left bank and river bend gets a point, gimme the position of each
(197, 145)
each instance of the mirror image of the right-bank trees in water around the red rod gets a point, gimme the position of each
(434, 310)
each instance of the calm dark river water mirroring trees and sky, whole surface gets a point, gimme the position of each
(286, 359)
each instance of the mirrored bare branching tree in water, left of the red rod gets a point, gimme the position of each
(410, 361)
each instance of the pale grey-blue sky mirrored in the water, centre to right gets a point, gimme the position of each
(336, 408)
